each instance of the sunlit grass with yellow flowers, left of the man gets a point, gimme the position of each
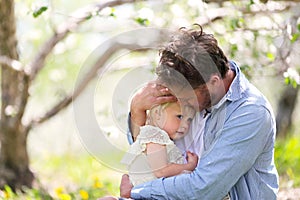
(68, 177)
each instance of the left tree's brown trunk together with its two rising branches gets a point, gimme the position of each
(14, 161)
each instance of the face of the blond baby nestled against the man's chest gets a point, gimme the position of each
(177, 120)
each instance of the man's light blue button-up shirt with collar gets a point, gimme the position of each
(238, 155)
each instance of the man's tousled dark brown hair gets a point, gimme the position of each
(191, 57)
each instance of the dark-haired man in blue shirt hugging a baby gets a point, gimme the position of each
(239, 134)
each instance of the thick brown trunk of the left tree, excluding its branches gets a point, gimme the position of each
(14, 161)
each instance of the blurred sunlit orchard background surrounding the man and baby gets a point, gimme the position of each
(52, 53)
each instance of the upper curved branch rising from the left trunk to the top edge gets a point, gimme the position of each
(62, 31)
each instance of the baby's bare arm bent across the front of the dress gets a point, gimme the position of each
(158, 161)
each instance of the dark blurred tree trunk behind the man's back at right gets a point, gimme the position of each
(285, 108)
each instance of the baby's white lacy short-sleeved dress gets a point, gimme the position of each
(138, 168)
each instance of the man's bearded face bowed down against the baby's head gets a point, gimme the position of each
(199, 98)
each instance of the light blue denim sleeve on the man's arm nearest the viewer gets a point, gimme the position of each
(233, 153)
